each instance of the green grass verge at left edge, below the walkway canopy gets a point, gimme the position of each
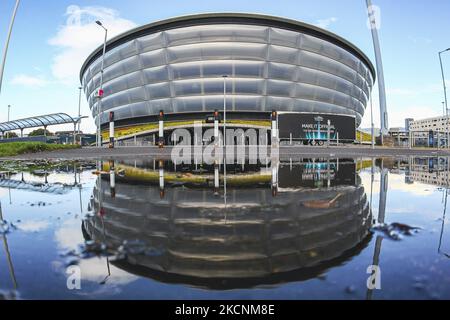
(16, 148)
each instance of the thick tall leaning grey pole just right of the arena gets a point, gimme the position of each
(380, 72)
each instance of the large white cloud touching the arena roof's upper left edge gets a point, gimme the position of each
(76, 39)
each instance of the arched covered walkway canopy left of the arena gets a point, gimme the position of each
(39, 121)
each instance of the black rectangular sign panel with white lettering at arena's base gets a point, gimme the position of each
(310, 126)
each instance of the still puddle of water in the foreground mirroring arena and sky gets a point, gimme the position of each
(297, 229)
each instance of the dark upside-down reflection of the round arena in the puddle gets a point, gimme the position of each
(191, 236)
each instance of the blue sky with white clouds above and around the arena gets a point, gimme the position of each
(51, 39)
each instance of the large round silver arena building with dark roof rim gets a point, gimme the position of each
(308, 75)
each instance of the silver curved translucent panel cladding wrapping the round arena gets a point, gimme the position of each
(179, 68)
